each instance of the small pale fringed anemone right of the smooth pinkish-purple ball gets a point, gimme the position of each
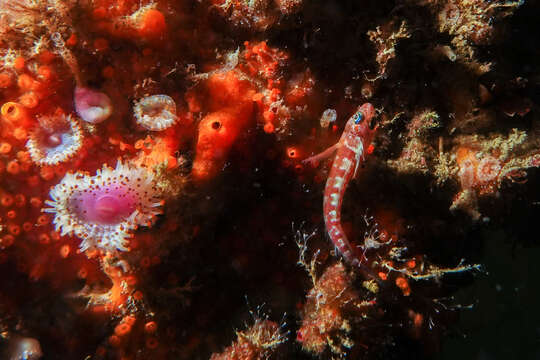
(156, 112)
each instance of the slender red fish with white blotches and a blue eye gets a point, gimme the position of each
(350, 153)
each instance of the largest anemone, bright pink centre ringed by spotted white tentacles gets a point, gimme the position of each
(103, 209)
